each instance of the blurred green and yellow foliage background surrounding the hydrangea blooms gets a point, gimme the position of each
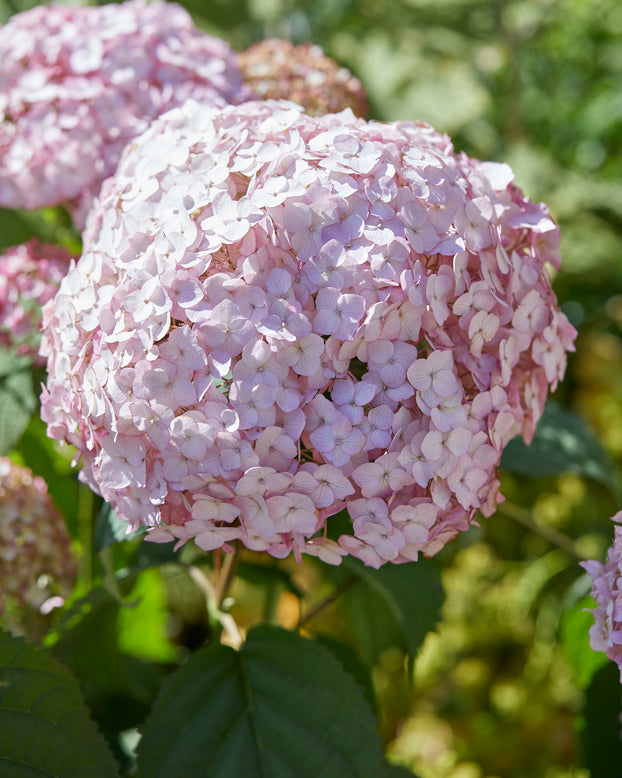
(505, 685)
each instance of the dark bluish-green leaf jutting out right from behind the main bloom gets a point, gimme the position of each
(562, 443)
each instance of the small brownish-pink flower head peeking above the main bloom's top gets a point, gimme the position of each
(303, 74)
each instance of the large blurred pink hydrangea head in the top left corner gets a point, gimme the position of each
(77, 83)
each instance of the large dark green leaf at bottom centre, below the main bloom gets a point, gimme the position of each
(281, 707)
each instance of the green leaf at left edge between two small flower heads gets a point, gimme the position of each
(17, 398)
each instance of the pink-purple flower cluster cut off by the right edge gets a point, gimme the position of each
(606, 632)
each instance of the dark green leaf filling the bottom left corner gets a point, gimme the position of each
(45, 729)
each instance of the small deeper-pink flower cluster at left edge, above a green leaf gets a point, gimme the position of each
(30, 275)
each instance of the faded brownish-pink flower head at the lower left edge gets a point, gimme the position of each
(37, 564)
